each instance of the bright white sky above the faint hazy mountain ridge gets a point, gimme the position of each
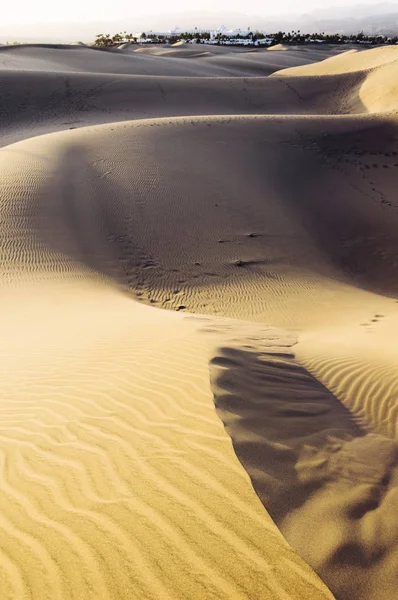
(21, 12)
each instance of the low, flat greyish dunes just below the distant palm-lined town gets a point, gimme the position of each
(144, 60)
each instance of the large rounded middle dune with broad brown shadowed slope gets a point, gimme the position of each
(274, 254)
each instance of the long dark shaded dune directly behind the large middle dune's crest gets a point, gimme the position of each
(41, 102)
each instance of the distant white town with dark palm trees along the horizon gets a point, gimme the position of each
(238, 37)
